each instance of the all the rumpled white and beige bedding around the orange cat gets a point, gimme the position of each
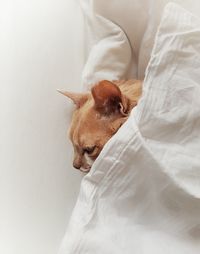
(142, 194)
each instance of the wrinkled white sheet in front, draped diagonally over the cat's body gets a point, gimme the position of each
(143, 192)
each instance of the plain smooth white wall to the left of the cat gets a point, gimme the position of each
(41, 49)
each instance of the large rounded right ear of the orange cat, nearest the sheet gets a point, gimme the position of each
(109, 99)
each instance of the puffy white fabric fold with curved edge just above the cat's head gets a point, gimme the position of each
(110, 56)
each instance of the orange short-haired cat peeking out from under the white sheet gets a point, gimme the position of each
(98, 116)
